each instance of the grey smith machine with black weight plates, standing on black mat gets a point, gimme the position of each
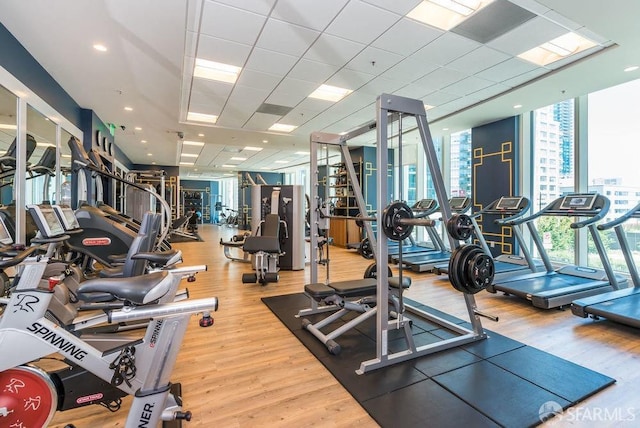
(395, 221)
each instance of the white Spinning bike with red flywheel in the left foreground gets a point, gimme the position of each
(29, 396)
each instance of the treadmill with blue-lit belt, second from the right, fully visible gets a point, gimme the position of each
(554, 288)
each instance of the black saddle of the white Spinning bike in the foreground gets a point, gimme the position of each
(139, 290)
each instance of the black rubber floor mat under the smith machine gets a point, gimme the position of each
(494, 382)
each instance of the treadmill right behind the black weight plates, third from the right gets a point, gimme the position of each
(505, 209)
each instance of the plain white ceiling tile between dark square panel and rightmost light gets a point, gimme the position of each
(529, 35)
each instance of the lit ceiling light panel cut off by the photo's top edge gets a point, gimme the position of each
(446, 14)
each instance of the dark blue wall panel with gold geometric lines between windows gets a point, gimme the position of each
(494, 173)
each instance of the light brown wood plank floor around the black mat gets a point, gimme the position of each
(248, 370)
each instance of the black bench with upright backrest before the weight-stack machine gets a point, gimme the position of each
(266, 250)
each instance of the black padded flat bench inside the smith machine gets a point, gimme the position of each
(355, 295)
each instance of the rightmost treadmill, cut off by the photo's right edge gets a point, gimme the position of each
(623, 305)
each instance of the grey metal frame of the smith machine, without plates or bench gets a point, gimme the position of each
(388, 106)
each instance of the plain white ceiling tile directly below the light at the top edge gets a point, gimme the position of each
(406, 37)
